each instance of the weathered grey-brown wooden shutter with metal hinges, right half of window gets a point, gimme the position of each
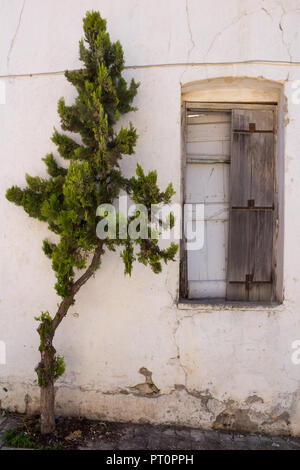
(251, 217)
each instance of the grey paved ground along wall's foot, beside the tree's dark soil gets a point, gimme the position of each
(128, 436)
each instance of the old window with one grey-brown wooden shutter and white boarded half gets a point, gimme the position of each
(230, 167)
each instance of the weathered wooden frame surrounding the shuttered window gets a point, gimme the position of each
(278, 194)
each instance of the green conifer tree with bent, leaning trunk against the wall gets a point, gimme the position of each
(67, 200)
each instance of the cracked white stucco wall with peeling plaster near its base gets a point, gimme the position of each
(214, 366)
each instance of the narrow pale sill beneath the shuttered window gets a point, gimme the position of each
(208, 305)
